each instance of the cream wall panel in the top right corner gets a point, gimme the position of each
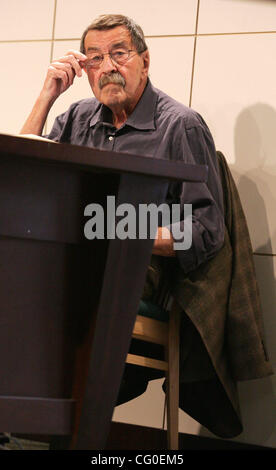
(231, 16)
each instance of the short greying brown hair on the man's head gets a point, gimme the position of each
(105, 22)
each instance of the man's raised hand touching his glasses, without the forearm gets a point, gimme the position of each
(61, 74)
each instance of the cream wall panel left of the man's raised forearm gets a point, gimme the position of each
(21, 79)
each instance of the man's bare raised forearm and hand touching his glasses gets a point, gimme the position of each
(60, 76)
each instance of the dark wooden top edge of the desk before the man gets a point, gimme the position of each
(90, 159)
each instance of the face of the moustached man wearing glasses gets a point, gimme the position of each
(132, 74)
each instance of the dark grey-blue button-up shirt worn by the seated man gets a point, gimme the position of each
(158, 127)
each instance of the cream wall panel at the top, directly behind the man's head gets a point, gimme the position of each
(155, 16)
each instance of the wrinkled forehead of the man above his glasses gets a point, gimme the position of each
(107, 39)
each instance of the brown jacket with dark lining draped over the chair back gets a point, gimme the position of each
(222, 335)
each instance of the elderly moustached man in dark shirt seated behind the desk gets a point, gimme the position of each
(129, 115)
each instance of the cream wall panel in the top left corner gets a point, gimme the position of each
(26, 19)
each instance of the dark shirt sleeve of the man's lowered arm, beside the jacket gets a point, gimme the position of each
(206, 227)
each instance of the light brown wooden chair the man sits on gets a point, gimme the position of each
(163, 331)
